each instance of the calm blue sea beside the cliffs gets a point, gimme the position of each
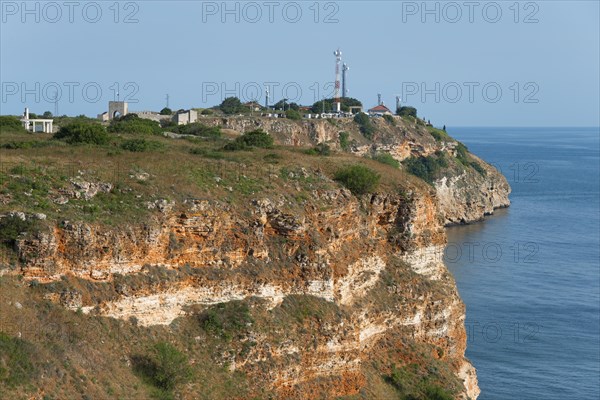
(530, 274)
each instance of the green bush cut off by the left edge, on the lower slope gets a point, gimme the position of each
(16, 368)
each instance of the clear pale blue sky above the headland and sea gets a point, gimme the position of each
(463, 63)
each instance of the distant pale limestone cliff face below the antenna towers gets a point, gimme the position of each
(464, 196)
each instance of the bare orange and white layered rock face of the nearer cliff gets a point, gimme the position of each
(377, 258)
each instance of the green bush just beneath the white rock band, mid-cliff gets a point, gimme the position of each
(226, 320)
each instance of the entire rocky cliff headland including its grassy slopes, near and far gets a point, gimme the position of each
(273, 279)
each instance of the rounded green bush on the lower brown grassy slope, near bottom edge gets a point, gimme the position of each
(163, 366)
